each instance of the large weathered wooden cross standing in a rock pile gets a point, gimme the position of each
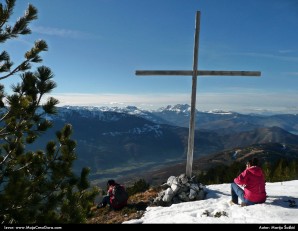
(194, 73)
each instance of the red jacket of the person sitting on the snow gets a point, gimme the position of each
(253, 181)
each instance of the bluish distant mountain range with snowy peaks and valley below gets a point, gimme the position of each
(116, 141)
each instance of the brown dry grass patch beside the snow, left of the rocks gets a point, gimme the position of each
(135, 209)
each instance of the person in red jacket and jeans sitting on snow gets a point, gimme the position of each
(253, 181)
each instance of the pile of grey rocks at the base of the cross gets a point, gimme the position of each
(180, 189)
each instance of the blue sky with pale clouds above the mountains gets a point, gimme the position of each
(95, 47)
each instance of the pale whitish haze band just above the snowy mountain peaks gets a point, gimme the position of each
(258, 105)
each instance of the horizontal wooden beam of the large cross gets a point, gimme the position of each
(202, 73)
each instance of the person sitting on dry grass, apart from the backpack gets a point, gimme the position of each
(110, 199)
